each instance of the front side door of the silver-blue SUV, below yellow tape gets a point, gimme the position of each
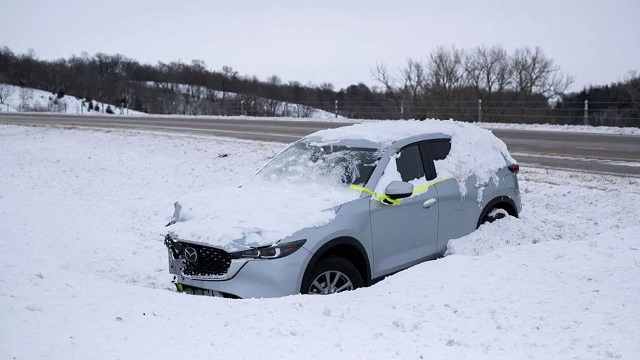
(404, 234)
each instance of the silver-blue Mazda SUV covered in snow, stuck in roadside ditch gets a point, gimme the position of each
(342, 208)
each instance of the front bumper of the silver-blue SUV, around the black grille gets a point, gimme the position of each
(246, 278)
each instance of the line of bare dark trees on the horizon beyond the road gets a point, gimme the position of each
(484, 83)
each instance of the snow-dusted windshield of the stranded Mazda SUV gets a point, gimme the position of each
(328, 164)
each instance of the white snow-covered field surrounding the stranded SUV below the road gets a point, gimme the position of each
(85, 272)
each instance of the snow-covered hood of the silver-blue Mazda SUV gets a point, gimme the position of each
(258, 214)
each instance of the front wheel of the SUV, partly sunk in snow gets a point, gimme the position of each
(332, 275)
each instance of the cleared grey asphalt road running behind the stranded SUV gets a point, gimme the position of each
(601, 153)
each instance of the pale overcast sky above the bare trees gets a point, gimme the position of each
(597, 41)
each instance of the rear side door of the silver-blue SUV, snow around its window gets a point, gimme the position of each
(458, 213)
